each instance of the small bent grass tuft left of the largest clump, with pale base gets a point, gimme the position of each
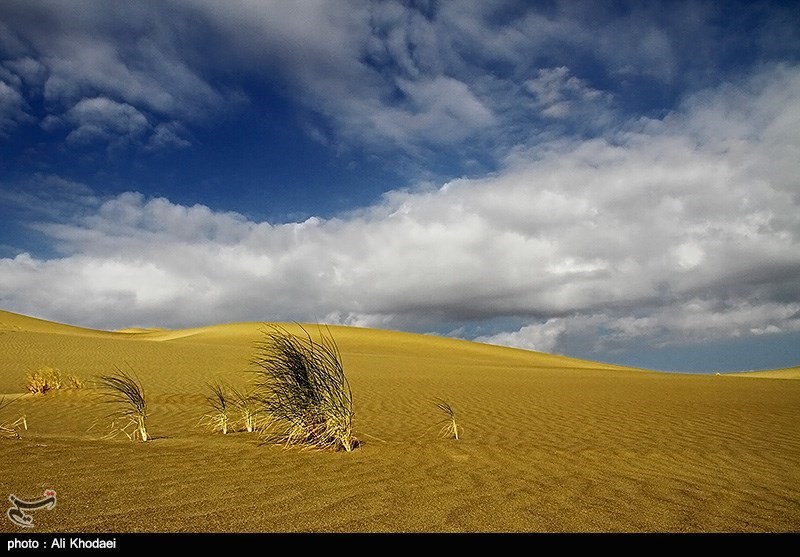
(126, 392)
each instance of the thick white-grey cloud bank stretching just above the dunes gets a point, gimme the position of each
(680, 229)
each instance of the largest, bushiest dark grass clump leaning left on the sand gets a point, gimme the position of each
(302, 388)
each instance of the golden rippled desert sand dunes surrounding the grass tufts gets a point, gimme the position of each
(549, 443)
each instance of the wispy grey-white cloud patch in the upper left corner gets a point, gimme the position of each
(78, 55)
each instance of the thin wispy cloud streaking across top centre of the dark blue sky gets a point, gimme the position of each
(389, 75)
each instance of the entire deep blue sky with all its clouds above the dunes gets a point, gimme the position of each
(617, 181)
